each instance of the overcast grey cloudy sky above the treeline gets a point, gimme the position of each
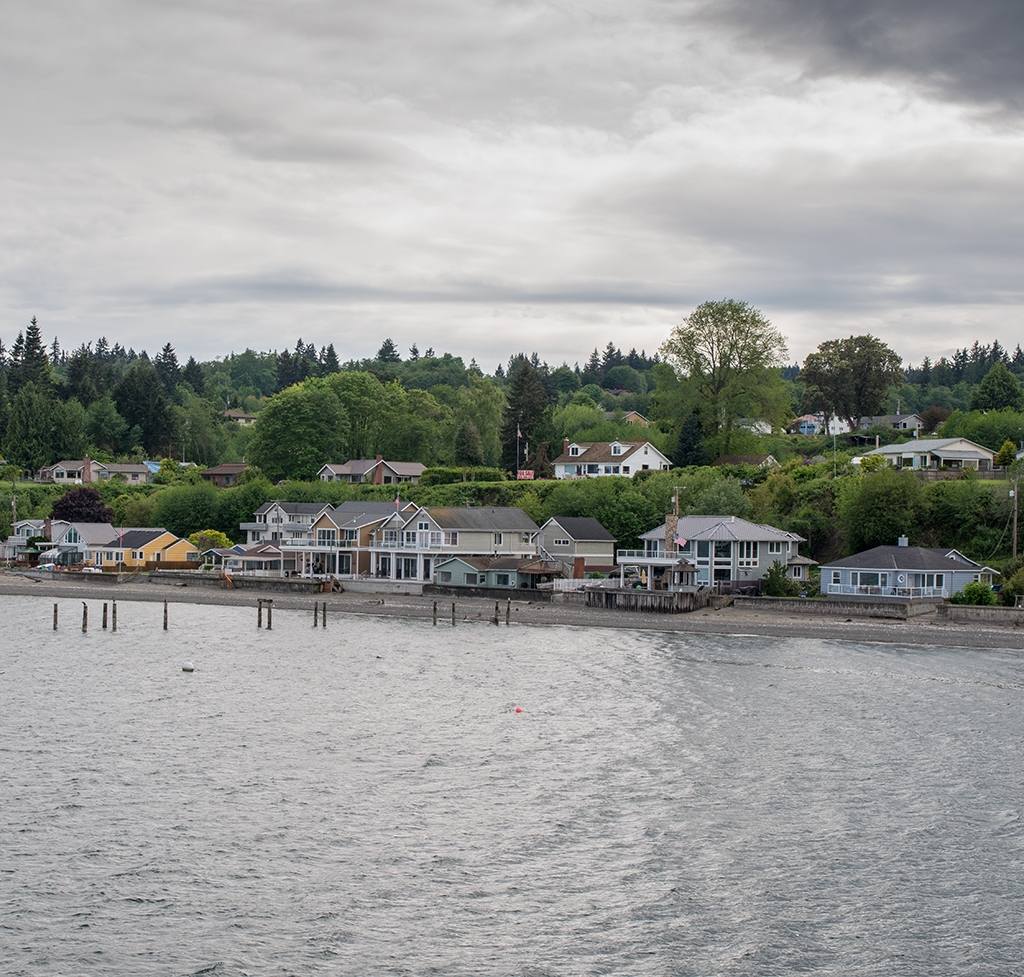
(490, 177)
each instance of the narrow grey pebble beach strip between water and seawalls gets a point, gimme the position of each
(927, 630)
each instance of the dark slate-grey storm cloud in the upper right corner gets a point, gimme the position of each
(964, 51)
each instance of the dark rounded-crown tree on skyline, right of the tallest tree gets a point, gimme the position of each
(850, 378)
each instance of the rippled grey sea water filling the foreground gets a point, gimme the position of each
(366, 800)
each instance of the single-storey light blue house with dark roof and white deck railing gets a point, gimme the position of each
(903, 573)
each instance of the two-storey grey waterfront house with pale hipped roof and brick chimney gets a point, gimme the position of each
(728, 553)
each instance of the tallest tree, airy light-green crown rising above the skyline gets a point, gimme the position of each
(729, 354)
